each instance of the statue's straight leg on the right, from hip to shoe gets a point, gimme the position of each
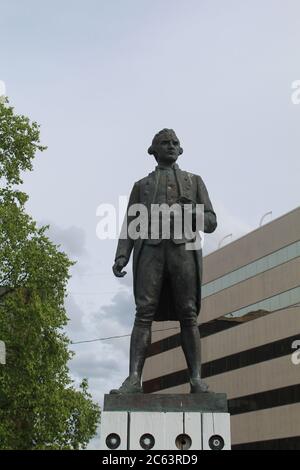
(183, 276)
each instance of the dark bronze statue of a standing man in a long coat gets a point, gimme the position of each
(167, 276)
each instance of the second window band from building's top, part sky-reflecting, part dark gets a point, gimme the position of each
(287, 299)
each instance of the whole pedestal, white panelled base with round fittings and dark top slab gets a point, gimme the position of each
(165, 422)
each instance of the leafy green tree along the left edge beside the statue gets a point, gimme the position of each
(39, 406)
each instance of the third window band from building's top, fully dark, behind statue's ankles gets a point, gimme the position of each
(235, 361)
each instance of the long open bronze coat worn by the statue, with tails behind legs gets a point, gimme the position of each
(144, 191)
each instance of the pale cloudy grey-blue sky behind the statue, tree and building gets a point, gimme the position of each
(101, 78)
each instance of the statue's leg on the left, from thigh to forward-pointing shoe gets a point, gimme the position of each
(147, 292)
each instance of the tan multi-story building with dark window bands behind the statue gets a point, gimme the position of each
(250, 325)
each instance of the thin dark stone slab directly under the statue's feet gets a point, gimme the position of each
(198, 402)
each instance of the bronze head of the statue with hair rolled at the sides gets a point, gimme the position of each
(165, 146)
